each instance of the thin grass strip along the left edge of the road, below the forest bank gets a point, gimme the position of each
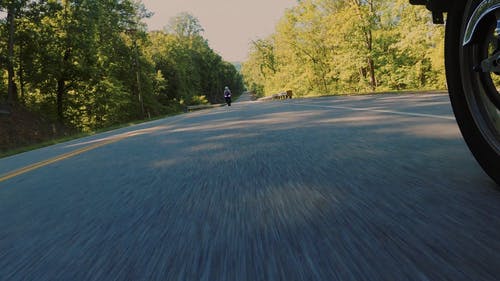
(80, 135)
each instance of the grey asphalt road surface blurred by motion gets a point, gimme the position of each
(346, 188)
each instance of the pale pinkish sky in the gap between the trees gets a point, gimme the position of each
(230, 25)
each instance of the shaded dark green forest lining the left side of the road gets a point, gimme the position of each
(89, 64)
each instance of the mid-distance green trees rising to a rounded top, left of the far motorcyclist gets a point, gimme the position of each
(189, 68)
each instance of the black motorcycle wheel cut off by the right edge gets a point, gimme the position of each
(474, 94)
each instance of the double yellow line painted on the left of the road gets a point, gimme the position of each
(57, 159)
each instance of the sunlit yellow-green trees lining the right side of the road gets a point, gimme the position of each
(347, 46)
